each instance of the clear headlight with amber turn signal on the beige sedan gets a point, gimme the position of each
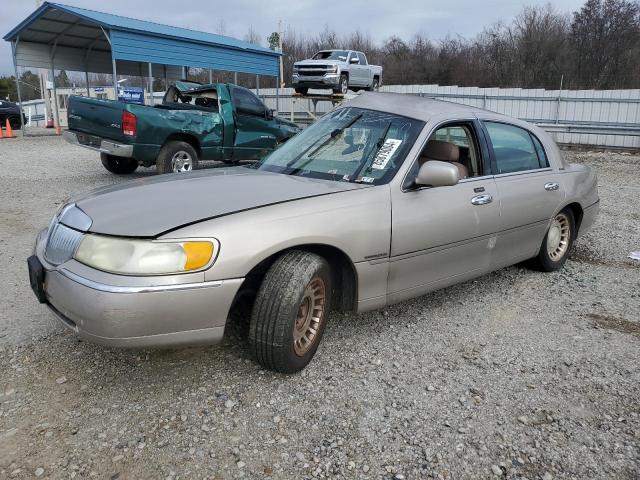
(144, 257)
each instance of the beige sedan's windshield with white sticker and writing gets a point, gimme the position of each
(348, 145)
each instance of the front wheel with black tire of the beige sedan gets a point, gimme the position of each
(279, 305)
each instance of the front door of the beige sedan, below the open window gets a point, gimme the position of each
(443, 235)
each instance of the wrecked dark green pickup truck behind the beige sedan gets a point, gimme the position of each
(194, 122)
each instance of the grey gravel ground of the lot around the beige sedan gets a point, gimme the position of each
(518, 374)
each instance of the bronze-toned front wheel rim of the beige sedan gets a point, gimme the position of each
(310, 316)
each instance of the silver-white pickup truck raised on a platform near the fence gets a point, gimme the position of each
(339, 70)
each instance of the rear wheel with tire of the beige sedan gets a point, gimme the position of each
(550, 262)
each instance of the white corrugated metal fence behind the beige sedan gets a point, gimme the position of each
(607, 118)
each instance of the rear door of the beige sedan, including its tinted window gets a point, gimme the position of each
(529, 190)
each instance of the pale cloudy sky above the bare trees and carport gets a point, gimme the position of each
(378, 18)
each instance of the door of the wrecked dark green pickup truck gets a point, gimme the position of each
(254, 131)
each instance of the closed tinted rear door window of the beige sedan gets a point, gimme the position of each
(513, 148)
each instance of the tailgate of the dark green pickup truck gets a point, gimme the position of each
(102, 118)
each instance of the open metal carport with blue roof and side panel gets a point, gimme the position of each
(57, 36)
